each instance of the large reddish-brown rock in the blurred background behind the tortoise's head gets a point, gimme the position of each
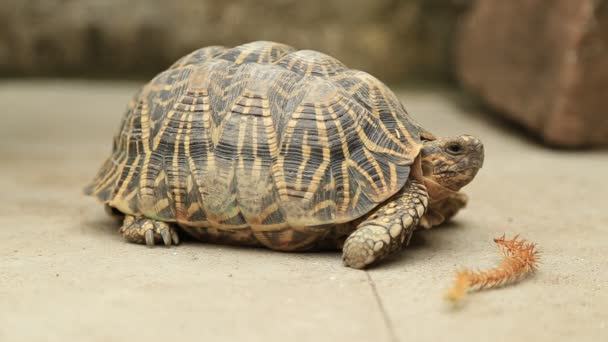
(543, 63)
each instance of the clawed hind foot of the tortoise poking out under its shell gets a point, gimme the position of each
(144, 230)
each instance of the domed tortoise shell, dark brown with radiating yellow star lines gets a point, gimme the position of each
(259, 137)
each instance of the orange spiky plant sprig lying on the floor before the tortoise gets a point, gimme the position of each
(520, 259)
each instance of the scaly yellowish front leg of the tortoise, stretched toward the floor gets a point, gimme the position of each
(388, 229)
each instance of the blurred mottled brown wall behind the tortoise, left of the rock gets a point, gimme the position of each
(125, 38)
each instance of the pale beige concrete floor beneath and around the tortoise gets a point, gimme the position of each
(66, 274)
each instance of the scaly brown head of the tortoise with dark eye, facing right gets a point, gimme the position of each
(452, 162)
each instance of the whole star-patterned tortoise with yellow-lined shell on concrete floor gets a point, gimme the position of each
(265, 145)
